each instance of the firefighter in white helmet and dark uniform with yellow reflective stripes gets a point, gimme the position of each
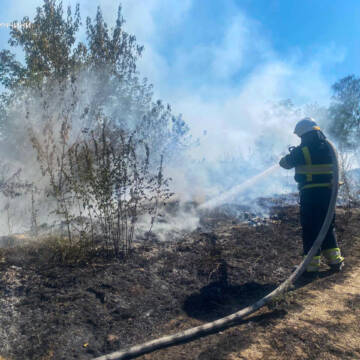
(313, 172)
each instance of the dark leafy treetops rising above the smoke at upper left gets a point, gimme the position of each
(51, 48)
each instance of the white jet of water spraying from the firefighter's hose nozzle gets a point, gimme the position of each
(223, 198)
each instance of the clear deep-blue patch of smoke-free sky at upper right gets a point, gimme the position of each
(309, 25)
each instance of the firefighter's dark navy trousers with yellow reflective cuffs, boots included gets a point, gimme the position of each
(314, 204)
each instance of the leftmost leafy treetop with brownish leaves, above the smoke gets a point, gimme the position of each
(48, 45)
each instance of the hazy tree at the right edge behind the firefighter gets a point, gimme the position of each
(344, 111)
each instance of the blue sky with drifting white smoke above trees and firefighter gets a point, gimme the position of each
(219, 62)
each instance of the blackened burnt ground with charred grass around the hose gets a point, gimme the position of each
(50, 310)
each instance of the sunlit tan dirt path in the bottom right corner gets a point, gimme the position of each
(328, 327)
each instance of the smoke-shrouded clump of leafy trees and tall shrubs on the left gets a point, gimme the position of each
(58, 99)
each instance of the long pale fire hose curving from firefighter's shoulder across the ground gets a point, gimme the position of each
(219, 324)
